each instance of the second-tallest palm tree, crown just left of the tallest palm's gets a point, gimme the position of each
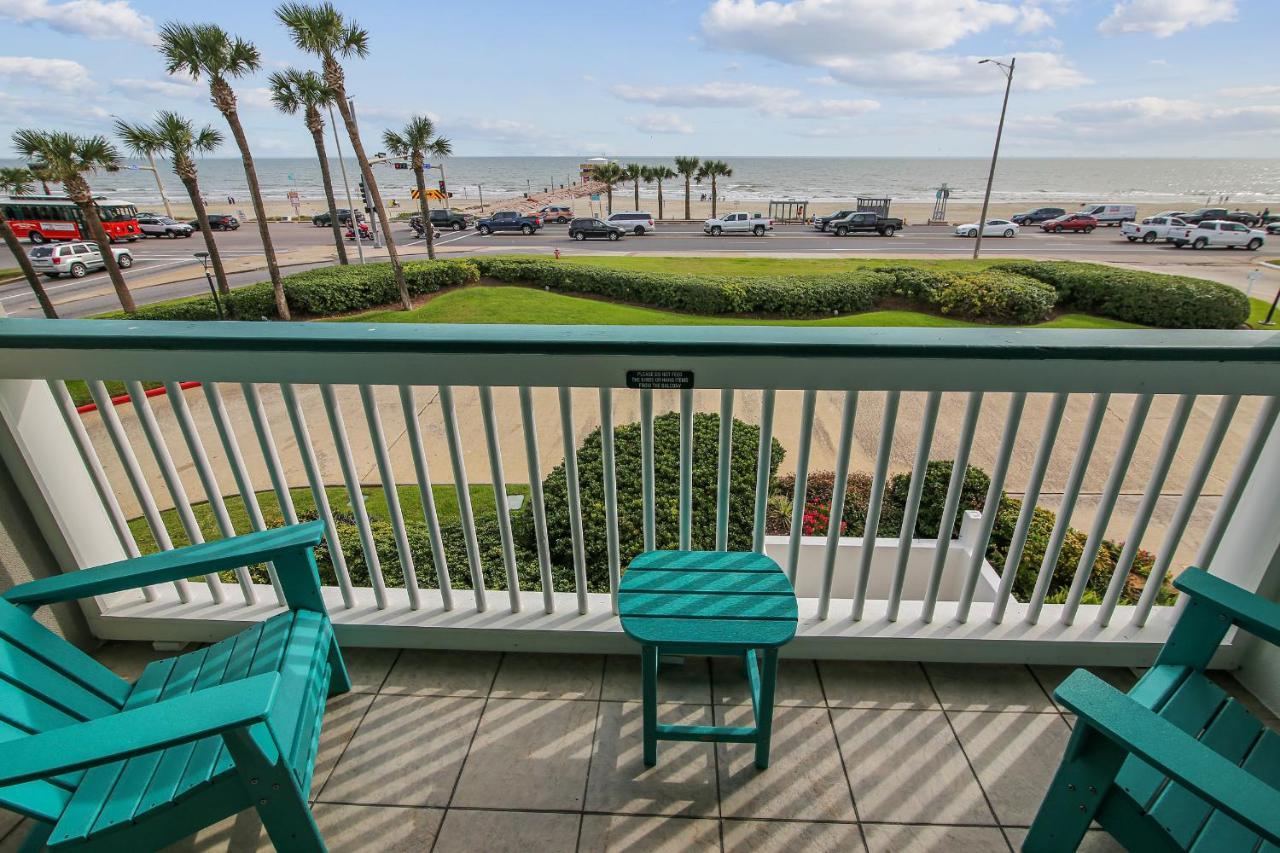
(211, 52)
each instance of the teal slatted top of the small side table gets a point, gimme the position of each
(707, 599)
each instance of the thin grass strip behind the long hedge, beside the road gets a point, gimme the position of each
(772, 266)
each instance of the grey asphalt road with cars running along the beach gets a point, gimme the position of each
(93, 295)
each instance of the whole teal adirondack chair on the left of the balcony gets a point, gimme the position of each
(100, 764)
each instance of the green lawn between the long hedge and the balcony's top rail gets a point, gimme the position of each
(525, 305)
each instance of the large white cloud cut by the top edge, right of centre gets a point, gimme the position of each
(898, 48)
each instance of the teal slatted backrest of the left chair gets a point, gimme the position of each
(45, 685)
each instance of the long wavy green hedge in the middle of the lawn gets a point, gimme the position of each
(1004, 298)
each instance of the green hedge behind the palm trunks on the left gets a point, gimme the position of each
(321, 293)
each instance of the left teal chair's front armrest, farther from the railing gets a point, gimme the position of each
(140, 731)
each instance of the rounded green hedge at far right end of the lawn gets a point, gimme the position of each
(1137, 297)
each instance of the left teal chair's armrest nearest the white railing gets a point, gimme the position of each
(205, 559)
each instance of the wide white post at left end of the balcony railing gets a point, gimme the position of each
(40, 454)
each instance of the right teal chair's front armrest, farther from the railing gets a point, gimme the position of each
(1173, 752)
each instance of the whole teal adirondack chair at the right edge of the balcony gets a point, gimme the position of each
(1176, 765)
